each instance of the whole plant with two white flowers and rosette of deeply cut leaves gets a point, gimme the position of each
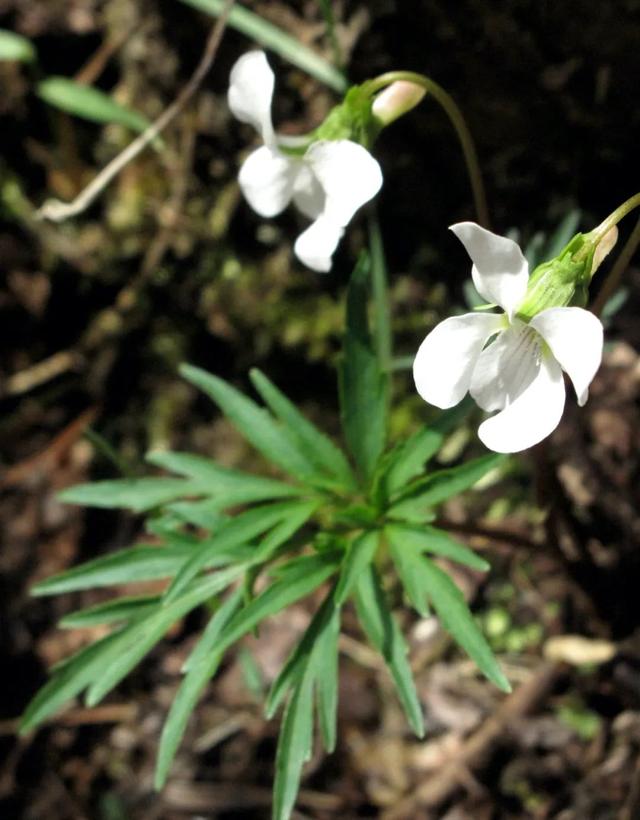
(339, 527)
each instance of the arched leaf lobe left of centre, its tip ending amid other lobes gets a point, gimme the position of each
(234, 533)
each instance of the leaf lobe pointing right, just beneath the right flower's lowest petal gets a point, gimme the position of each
(426, 493)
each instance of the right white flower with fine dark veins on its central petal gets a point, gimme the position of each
(520, 372)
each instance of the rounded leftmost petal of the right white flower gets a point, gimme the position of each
(446, 358)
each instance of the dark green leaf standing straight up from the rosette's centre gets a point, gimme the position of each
(363, 387)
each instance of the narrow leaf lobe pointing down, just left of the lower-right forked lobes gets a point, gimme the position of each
(385, 635)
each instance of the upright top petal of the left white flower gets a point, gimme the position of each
(250, 93)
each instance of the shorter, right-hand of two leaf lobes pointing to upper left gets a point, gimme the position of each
(317, 447)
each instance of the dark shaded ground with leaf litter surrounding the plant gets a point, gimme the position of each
(170, 265)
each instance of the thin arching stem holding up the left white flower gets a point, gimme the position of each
(452, 111)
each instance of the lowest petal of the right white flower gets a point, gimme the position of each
(532, 416)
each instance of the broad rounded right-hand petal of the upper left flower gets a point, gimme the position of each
(349, 175)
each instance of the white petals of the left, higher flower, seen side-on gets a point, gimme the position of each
(328, 182)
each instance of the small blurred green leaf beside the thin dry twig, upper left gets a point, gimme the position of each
(89, 103)
